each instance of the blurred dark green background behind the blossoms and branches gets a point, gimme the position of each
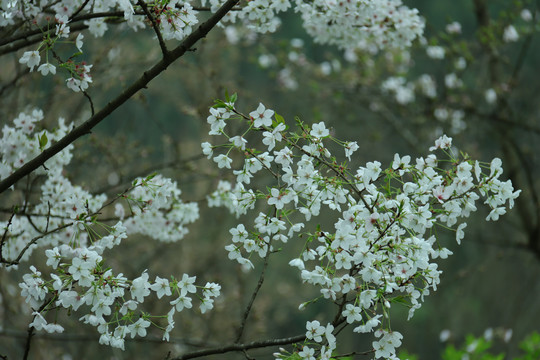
(491, 281)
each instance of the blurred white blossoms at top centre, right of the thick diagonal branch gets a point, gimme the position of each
(352, 24)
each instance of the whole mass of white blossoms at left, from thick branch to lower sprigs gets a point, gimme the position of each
(66, 222)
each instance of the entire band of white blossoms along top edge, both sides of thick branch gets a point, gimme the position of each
(353, 24)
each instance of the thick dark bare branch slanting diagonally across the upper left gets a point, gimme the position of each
(139, 84)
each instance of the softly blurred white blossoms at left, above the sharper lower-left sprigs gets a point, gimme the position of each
(66, 213)
